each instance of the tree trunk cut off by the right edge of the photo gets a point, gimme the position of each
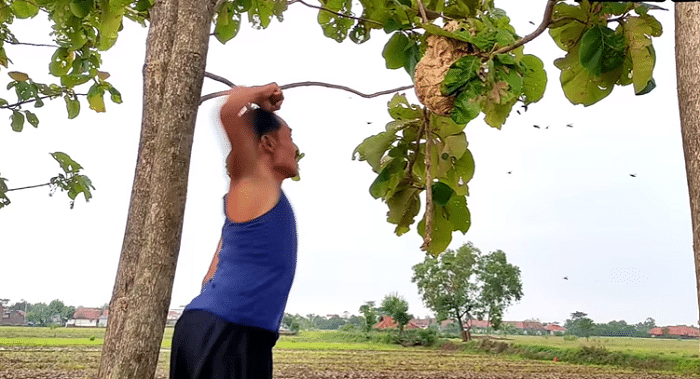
(688, 82)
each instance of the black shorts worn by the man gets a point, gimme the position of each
(207, 346)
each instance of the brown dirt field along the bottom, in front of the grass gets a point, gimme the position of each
(82, 362)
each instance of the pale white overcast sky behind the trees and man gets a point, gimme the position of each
(569, 208)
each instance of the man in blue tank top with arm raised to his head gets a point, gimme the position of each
(228, 331)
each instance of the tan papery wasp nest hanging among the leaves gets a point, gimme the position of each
(441, 53)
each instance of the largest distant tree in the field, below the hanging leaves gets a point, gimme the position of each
(462, 283)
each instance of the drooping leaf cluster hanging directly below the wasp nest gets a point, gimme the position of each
(397, 155)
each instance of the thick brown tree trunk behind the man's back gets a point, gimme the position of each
(177, 44)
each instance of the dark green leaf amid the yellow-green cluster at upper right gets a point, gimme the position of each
(601, 50)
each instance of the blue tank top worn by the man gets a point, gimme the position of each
(256, 268)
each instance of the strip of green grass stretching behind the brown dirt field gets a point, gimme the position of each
(669, 355)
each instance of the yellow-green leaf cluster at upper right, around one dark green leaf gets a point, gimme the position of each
(599, 57)
